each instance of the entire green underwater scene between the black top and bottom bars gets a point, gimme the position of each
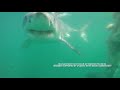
(59, 44)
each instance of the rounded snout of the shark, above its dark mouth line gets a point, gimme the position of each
(38, 21)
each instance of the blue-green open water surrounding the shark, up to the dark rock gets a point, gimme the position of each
(37, 61)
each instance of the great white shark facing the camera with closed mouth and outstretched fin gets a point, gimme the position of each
(47, 26)
